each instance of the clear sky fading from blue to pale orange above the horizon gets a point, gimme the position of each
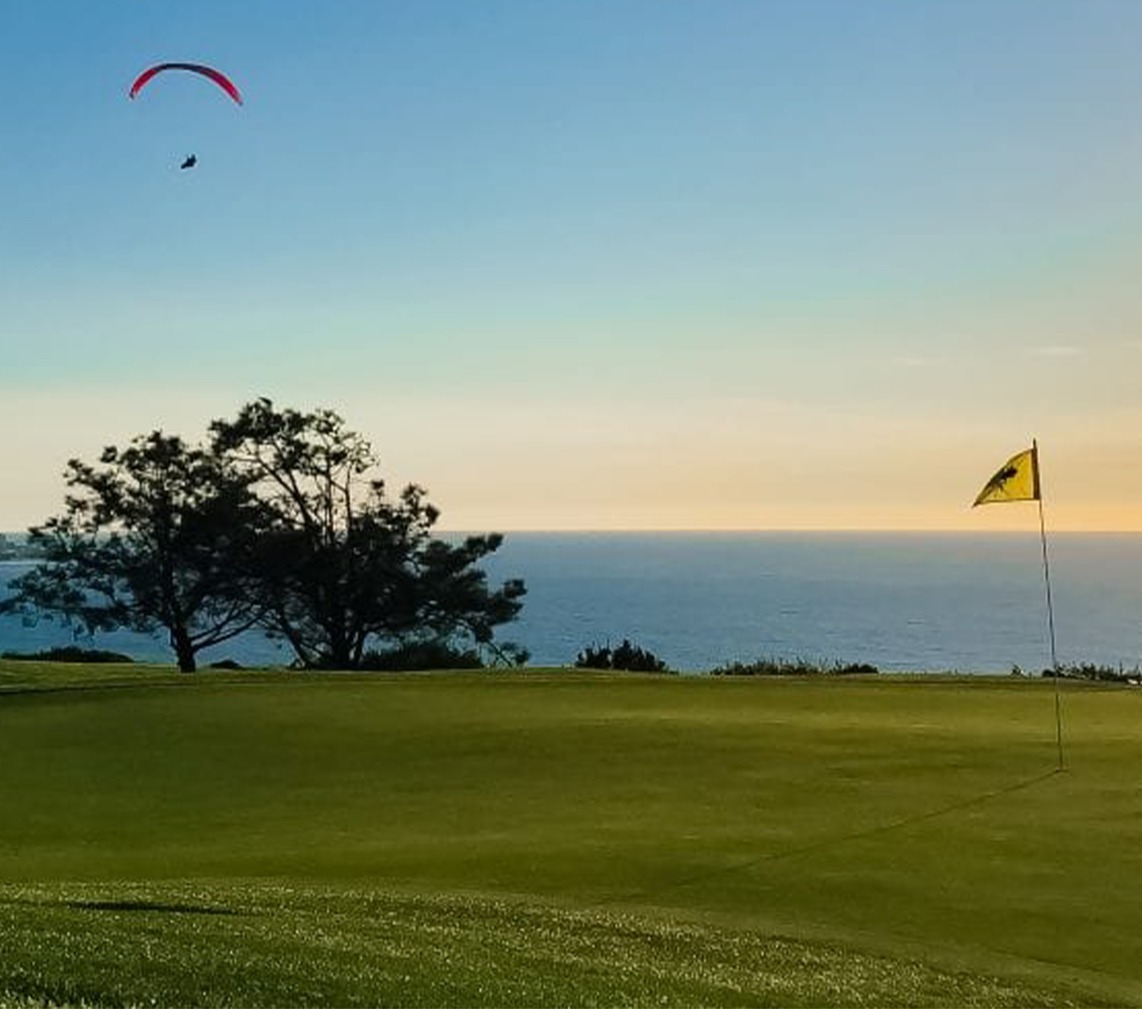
(574, 265)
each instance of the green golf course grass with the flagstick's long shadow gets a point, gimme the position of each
(556, 838)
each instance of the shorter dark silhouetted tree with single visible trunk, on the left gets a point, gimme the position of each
(155, 536)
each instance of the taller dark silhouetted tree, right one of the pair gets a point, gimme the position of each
(341, 567)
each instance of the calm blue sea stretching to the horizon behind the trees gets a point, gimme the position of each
(900, 601)
